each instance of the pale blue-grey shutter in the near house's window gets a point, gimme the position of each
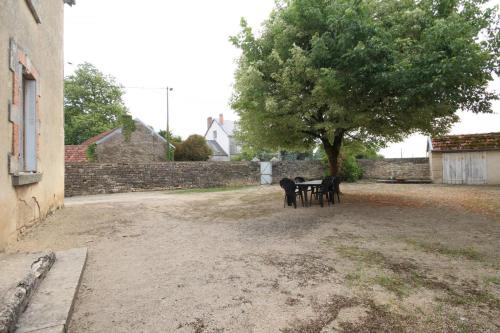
(30, 125)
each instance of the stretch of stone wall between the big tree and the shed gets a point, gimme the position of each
(396, 168)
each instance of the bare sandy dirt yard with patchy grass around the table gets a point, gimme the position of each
(395, 258)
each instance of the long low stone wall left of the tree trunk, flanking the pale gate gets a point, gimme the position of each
(95, 178)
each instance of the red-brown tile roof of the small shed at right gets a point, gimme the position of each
(467, 142)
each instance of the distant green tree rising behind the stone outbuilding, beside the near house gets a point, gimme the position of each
(93, 104)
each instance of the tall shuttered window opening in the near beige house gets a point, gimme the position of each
(27, 146)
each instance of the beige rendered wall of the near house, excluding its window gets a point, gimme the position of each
(23, 206)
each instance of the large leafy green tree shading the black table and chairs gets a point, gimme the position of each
(325, 71)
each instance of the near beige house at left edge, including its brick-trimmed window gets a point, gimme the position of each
(32, 122)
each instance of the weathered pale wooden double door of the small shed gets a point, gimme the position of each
(464, 168)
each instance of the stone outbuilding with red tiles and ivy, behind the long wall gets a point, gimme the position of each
(143, 145)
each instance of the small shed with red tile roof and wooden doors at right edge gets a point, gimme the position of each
(465, 159)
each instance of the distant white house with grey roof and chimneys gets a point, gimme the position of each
(220, 139)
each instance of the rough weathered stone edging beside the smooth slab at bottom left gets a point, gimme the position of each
(18, 299)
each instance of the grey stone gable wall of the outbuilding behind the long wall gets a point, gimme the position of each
(142, 147)
